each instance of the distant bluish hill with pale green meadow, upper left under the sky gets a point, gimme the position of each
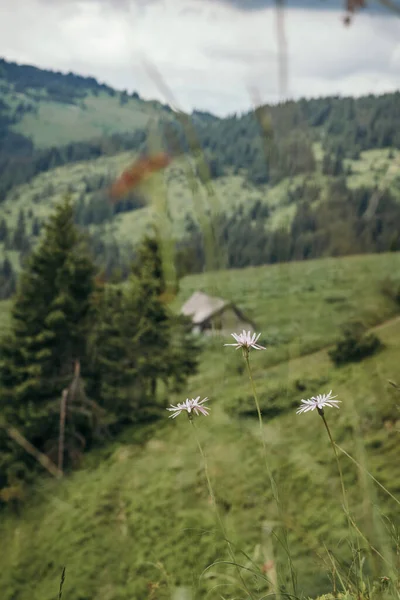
(53, 109)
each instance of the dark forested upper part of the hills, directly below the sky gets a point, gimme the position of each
(345, 126)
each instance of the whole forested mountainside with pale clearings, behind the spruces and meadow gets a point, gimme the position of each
(272, 185)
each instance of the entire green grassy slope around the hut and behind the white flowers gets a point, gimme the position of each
(136, 520)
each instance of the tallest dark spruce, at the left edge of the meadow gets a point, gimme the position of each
(51, 318)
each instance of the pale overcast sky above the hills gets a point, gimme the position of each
(210, 52)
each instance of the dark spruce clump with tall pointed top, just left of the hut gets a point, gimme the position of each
(140, 344)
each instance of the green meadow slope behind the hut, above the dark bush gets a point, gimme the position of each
(300, 306)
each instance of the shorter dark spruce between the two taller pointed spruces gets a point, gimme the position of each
(127, 353)
